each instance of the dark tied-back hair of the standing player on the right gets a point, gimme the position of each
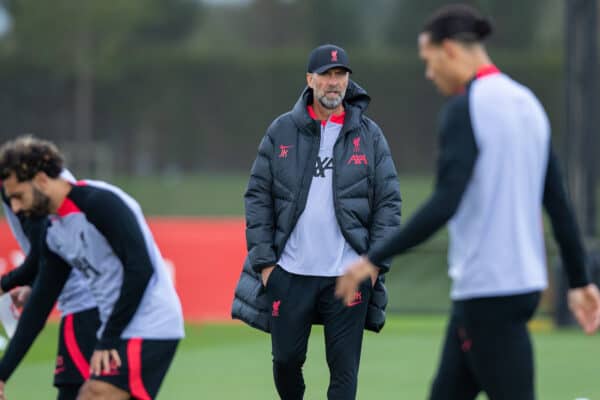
(459, 22)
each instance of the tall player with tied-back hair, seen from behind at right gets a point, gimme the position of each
(496, 170)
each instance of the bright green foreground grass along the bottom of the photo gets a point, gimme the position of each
(233, 362)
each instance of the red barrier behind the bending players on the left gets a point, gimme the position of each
(206, 256)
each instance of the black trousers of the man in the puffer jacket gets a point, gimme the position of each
(297, 301)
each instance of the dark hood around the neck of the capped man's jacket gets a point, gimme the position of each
(356, 102)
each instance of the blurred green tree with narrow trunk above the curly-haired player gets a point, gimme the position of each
(87, 40)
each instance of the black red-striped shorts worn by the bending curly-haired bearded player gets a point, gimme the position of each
(144, 364)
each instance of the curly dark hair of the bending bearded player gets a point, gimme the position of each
(27, 155)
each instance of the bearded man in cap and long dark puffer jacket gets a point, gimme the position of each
(322, 191)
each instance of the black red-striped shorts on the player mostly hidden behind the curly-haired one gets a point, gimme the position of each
(76, 342)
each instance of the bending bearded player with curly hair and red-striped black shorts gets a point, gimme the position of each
(100, 231)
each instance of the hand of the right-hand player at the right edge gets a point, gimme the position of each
(584, 303)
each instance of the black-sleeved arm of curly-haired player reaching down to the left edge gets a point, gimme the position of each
(52, 276)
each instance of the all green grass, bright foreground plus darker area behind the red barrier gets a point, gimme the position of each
(233, 361)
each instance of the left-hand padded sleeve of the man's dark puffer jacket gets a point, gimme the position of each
(260, 216)
